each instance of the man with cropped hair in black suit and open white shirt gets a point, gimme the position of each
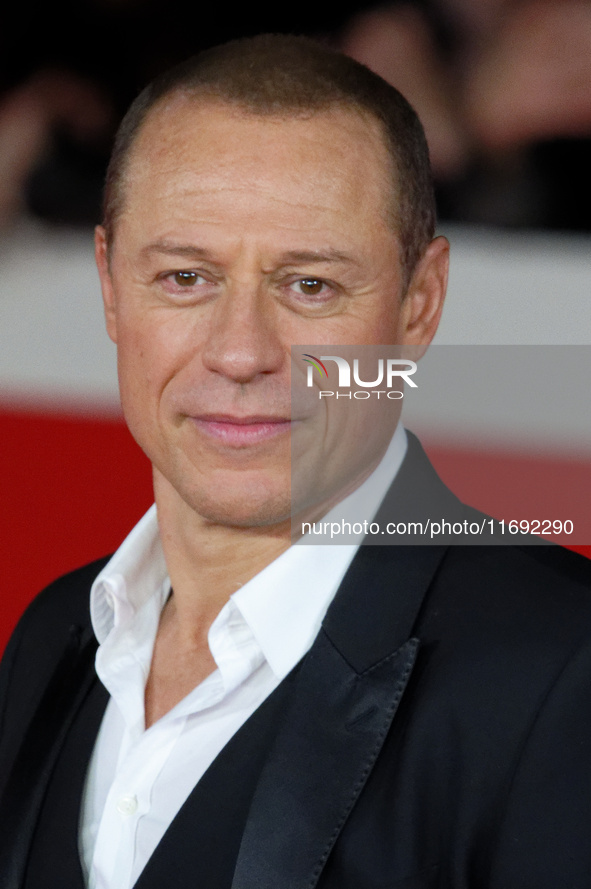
(268, 715)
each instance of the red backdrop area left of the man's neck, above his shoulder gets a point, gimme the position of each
(71, 488)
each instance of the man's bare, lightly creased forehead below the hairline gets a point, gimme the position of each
(334, 161)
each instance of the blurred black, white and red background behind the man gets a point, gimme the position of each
(504, 91)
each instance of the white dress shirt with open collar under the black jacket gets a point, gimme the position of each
(138, 779)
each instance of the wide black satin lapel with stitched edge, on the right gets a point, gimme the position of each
(344, 701)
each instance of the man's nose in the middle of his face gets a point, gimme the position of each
(243, 341)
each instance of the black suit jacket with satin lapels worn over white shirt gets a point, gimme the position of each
(437, 734)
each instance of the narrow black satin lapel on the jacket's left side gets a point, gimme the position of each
(26, 788)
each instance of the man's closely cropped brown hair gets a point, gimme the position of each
(288, 75)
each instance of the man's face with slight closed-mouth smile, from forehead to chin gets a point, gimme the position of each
(240, 237)
